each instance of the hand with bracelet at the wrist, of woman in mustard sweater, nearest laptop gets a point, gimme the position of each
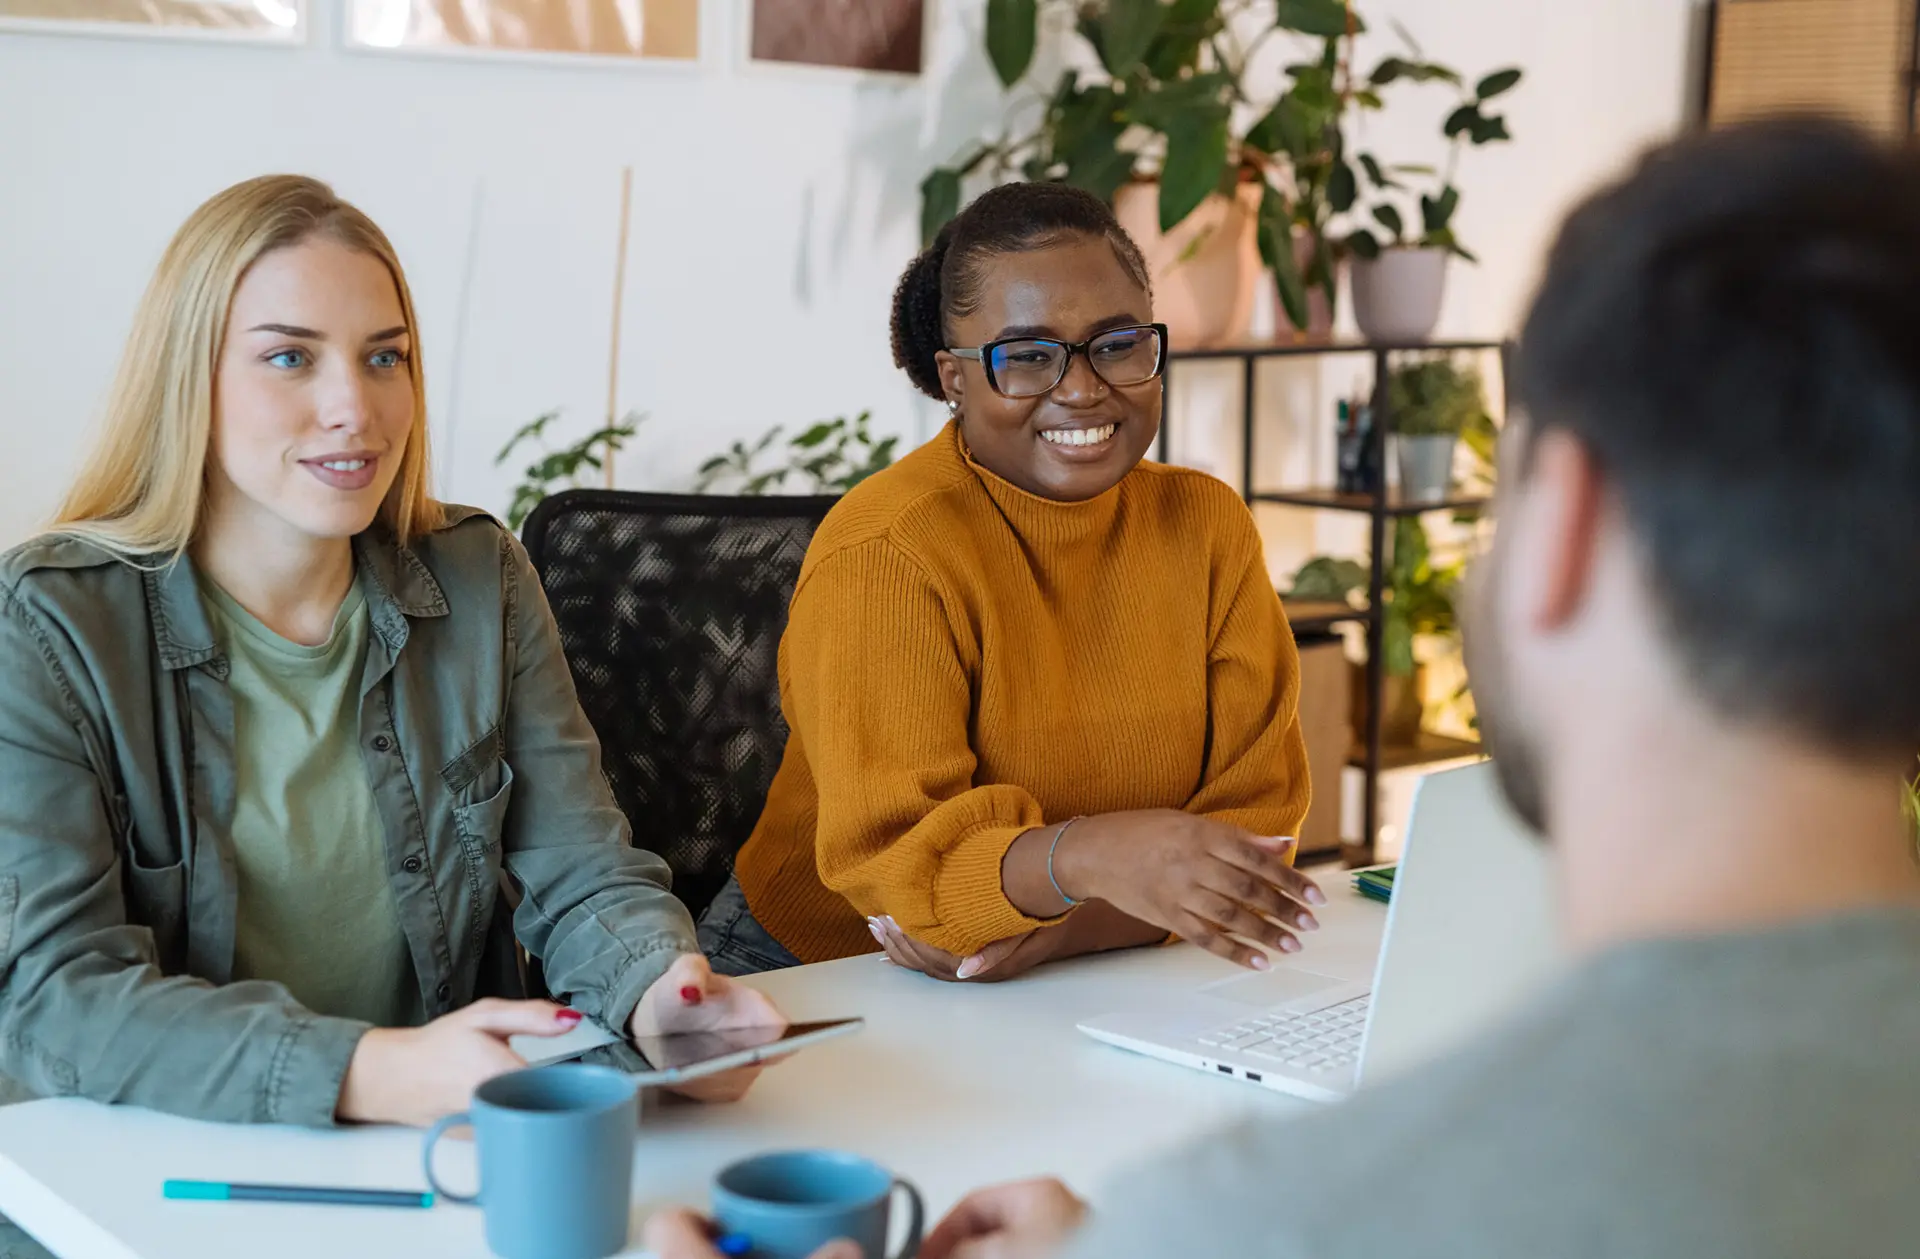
(1203, 880)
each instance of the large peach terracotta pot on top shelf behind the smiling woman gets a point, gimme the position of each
(1205, 270)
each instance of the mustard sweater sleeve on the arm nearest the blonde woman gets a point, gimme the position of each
(882, 701)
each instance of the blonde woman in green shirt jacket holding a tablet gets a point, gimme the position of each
(277, 728)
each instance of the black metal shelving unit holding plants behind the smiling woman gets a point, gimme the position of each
(1380, 508)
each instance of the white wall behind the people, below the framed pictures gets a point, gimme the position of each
(773, 216)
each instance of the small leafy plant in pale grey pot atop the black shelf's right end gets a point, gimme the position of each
(1399, 272)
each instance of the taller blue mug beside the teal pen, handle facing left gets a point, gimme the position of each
(556, 1160)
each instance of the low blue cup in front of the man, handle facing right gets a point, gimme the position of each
(786, 1206)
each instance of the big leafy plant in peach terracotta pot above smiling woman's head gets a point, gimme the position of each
(1155, 133)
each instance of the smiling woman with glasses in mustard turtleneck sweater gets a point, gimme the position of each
(1044, 696)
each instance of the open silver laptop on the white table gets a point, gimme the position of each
(1468, 936)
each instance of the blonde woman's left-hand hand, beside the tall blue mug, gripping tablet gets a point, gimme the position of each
(420, 1074)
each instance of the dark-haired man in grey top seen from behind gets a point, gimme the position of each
(1696, 650)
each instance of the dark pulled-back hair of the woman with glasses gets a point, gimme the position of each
(944, 283)
